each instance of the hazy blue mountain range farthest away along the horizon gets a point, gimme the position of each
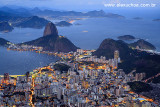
(23, 12)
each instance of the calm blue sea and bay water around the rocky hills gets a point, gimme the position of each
(88, 35)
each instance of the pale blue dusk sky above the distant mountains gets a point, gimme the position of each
(71, 4)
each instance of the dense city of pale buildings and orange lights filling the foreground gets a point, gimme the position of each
(89, 81)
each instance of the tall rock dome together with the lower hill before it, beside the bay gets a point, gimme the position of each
(52, 42)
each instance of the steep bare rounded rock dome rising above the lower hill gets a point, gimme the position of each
(50, 29)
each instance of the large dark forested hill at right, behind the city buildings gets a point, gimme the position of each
(131, 59)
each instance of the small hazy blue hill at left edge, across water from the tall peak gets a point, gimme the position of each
(5, 27)
